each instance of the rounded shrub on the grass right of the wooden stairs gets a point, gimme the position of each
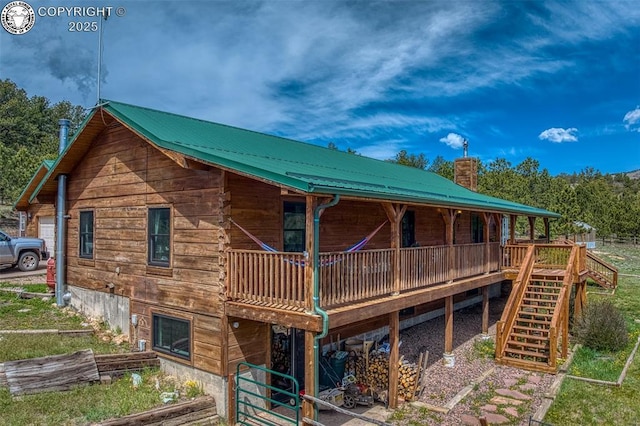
(601, 327)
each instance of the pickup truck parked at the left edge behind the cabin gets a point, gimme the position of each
(23, 252)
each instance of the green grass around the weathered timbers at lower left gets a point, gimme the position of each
(83, 405)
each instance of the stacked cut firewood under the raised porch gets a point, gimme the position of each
(377, 376)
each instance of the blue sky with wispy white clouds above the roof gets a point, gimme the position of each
(556, 81)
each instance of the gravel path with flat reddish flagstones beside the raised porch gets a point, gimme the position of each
(505, 395)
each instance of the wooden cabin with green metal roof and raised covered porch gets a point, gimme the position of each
(200, 238)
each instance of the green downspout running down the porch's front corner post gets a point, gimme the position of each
(316, 293)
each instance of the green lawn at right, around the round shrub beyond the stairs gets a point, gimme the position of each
(584, 403)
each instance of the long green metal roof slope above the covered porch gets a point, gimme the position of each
(302, 166)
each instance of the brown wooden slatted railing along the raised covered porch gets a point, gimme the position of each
(277, 278)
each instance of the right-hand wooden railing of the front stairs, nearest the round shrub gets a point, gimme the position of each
(560, 318)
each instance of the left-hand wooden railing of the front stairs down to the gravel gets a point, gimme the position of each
(504, 326)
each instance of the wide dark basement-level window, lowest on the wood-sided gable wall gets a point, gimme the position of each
(172, 336)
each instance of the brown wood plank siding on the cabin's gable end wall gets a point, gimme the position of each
(119, 178)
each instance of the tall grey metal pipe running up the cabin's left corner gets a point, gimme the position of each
(61, 225)
